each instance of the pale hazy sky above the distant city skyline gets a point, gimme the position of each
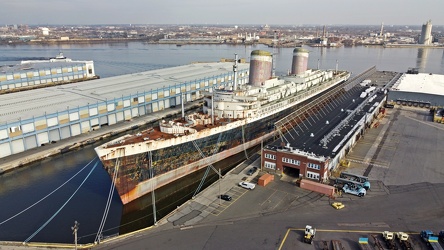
(408, 12)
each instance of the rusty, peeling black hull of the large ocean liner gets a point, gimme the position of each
(137, 168)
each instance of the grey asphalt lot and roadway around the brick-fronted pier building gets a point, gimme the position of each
(403, 157)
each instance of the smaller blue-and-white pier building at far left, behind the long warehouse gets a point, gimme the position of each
(40, 73)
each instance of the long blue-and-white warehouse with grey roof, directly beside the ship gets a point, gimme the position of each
(33, 118)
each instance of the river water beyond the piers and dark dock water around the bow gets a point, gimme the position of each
(22, 188)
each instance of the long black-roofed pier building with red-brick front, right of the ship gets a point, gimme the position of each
(315, 138)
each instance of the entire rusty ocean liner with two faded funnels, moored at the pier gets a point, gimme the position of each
(232, 119)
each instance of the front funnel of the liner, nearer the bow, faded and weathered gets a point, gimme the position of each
(260, 67)
